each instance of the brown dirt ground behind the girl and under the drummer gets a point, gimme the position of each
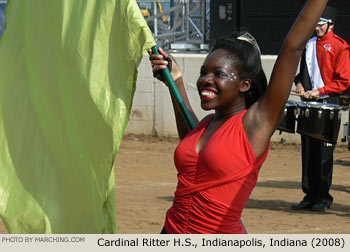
(146, 180)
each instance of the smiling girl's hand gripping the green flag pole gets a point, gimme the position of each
(161, 62)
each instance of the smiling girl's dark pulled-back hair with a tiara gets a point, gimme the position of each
(245, 55)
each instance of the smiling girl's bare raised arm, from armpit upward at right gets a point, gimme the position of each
(263, 117)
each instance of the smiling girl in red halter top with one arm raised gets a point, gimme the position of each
(218, 162)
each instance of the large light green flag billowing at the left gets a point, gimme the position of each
(67, 77)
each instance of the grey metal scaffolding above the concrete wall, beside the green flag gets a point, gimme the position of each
(177, 21)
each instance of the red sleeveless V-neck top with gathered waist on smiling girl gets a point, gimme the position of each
(214, 185)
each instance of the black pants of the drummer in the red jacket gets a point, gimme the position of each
(317, 169)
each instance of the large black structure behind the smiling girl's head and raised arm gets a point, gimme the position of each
(267, 20)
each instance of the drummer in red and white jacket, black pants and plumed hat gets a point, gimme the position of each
(324, 73)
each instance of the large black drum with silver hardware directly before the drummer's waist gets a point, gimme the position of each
(318, 120)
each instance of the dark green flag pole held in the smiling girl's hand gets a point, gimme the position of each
(176, 93)
